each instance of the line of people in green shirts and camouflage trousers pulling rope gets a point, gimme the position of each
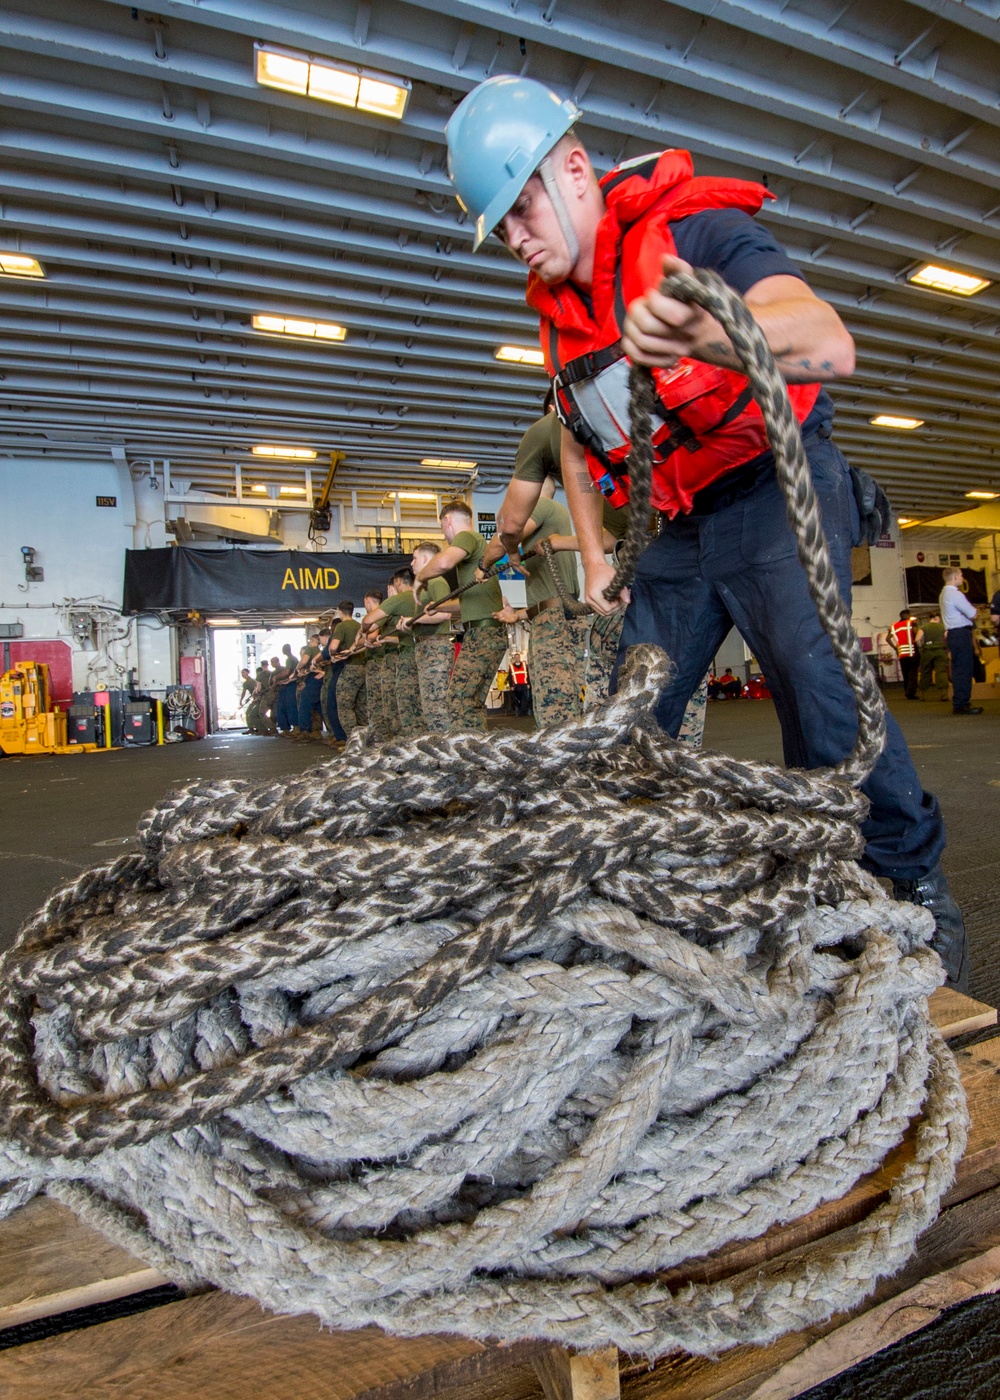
(398, 670)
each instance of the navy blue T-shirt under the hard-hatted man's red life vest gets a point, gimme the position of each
(743, 253)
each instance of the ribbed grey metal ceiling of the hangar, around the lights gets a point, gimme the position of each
(170, 198)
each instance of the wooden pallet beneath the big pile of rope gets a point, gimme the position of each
(55, 1272)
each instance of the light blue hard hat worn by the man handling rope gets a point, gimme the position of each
(498, 138)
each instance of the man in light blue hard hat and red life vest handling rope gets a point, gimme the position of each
(597, 253)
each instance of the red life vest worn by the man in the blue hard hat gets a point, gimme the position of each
(709, 422)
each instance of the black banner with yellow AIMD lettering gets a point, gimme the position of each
(251, 580)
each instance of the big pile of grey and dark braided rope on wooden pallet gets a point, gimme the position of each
(481, 1035)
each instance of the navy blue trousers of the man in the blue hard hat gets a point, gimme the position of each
(737, 565)
